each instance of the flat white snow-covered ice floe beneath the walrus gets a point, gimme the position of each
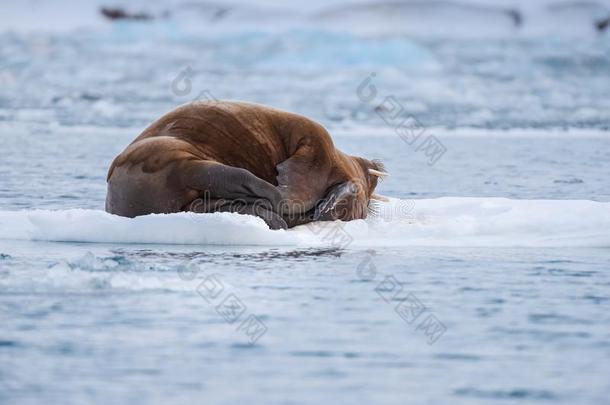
(450, 221)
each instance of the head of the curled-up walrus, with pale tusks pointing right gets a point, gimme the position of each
(354, 198)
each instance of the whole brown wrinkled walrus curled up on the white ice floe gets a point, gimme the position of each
(217, 156)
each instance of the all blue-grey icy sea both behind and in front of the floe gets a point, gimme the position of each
(119, 323)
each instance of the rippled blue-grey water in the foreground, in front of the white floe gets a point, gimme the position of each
(120, 324)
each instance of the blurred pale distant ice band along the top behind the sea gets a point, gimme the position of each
(465, 18)
